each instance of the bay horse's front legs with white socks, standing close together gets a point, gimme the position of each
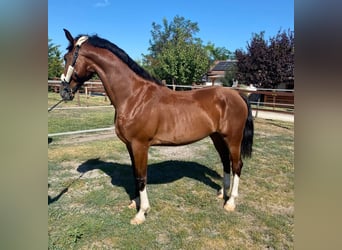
(138, 153)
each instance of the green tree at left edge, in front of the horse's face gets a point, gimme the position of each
(55, 62)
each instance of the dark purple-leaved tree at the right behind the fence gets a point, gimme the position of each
(267, 64)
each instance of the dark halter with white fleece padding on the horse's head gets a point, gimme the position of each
(66, 79)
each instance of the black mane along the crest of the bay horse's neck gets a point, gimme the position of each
(122, 55)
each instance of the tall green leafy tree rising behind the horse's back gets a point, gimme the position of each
(176, 55)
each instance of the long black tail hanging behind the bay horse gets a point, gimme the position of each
(248, 133)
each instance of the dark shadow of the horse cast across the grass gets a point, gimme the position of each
(157, 173)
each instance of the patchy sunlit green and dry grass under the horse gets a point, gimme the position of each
(91, 183)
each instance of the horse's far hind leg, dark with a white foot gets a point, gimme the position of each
(223, 150)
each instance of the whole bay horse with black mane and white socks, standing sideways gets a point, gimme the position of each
(150, 114)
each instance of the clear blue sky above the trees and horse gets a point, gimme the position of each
(128, 24)
